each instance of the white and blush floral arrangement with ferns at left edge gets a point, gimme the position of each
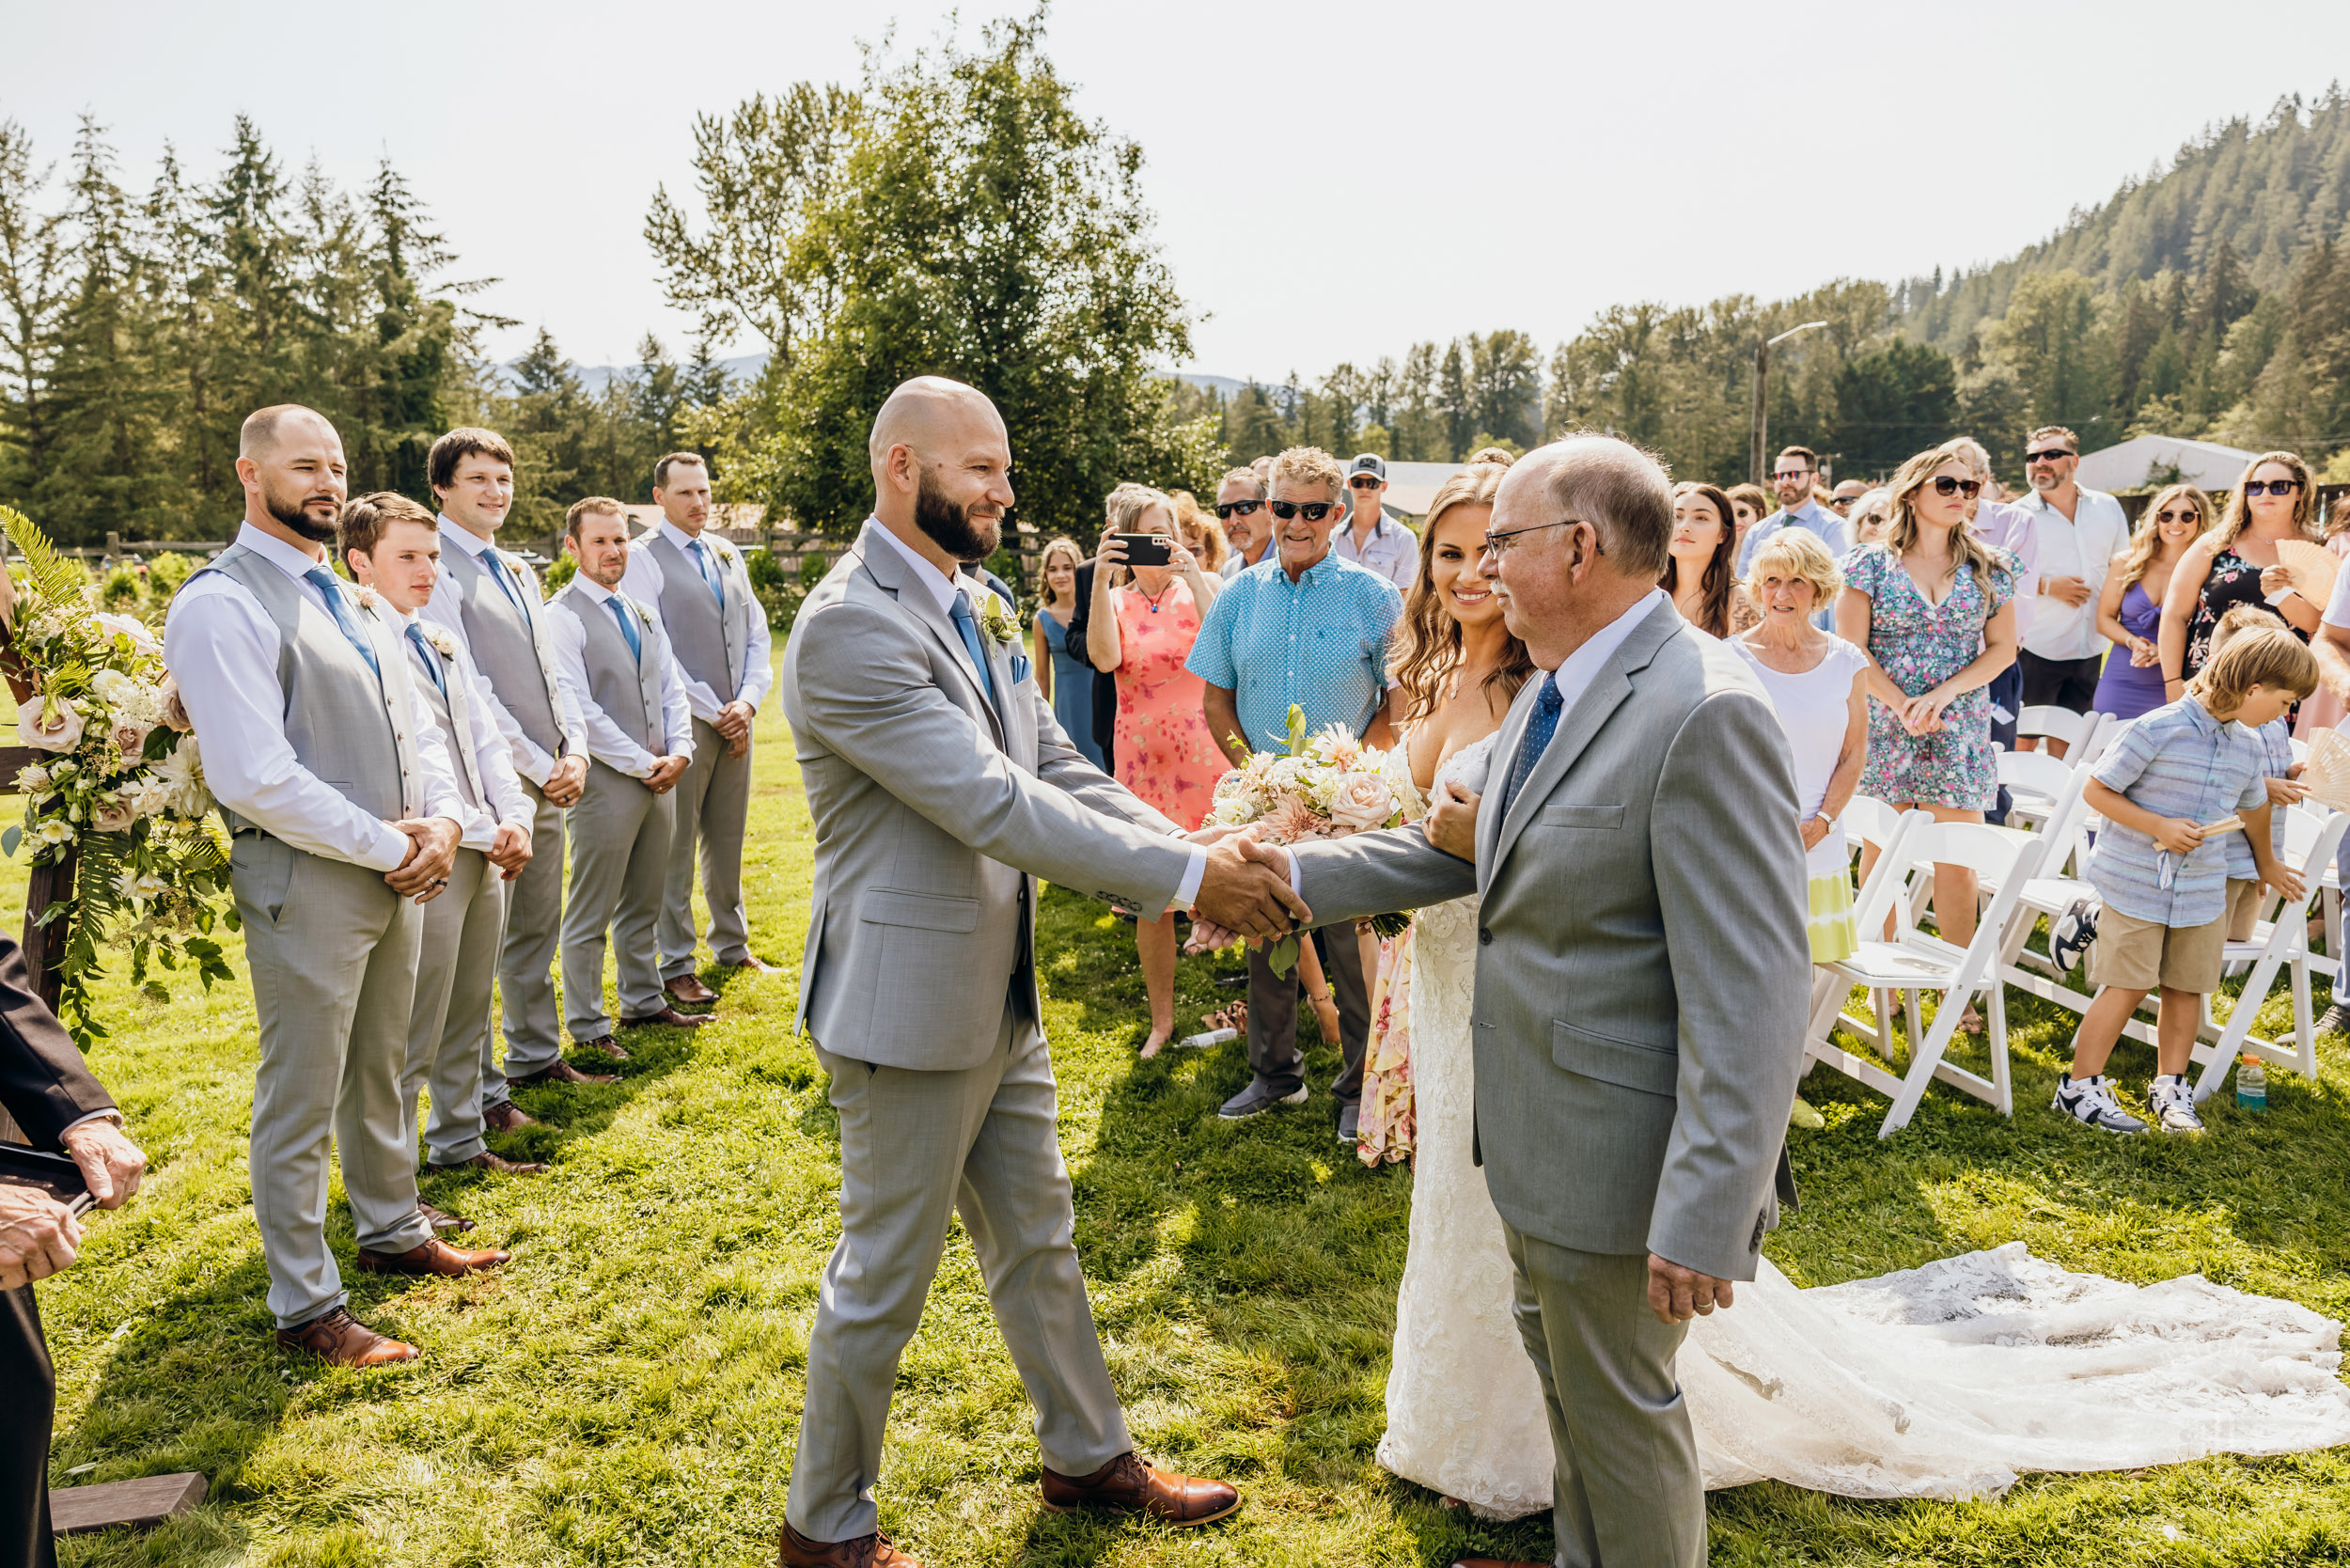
(123, 796)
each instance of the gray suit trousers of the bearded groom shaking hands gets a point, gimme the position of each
(915, 1151)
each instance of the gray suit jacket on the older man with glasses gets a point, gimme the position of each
(1644, 970)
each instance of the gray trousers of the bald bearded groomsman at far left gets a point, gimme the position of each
(335, 981)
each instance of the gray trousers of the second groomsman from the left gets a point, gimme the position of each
(450, 1026)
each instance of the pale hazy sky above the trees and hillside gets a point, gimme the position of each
(1331, 180)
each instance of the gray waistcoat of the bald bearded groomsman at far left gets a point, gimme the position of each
(344, 723)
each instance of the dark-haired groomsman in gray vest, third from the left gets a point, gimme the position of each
(490, 603)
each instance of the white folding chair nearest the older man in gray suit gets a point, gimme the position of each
(1921, 963)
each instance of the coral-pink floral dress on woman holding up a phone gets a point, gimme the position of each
(1162, 737)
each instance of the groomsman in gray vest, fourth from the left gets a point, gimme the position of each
(640, 742)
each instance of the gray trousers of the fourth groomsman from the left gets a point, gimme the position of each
(619, 862)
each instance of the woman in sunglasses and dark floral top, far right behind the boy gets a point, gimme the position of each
(2236, 563)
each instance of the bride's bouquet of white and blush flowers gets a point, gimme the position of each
(1324, 789)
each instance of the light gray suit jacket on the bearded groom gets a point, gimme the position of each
(932, 817)
